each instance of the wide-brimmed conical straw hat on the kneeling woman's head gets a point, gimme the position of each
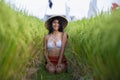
(63, 19)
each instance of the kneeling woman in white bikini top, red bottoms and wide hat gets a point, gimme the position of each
(54, 44)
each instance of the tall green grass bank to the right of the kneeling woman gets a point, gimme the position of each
(96, 45)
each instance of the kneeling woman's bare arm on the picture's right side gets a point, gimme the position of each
(64, 41)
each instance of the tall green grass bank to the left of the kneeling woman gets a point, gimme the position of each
(21, 38)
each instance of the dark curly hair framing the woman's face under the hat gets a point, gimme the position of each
(50, 28)
